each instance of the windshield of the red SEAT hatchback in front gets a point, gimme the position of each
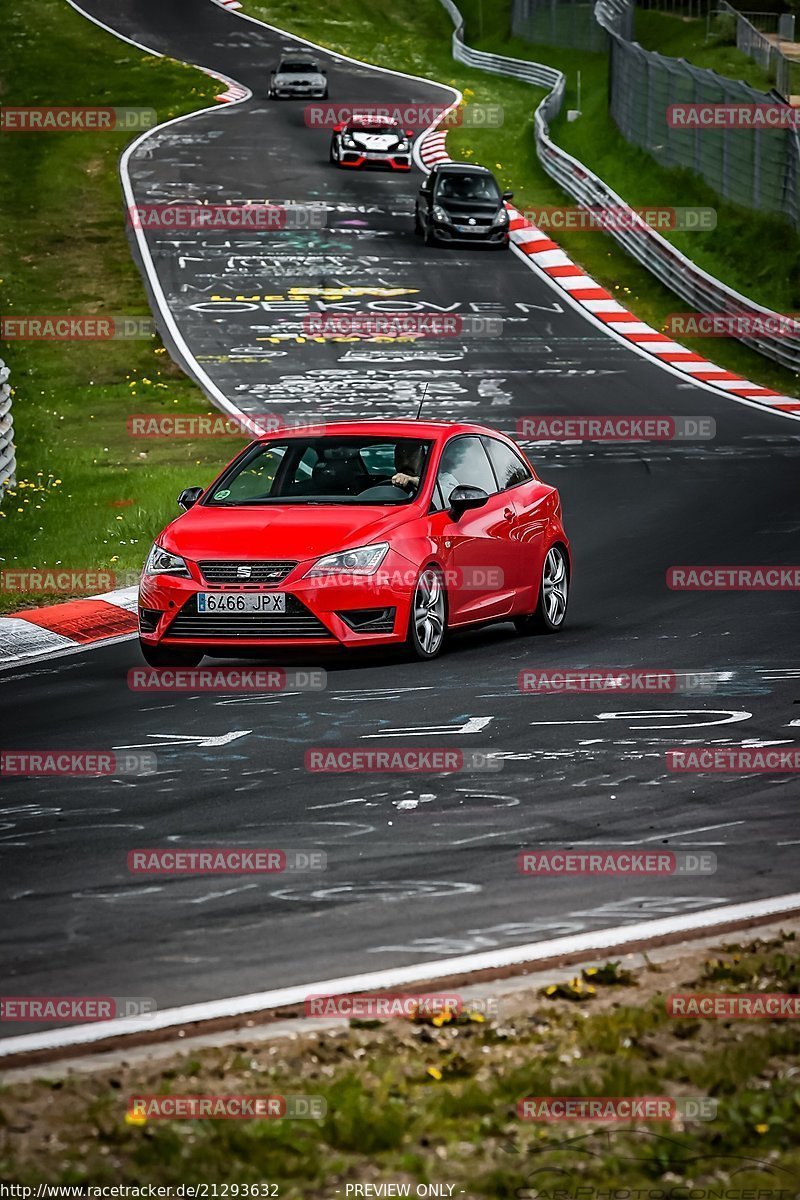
(326, 471)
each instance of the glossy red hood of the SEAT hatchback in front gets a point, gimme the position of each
(294, 532)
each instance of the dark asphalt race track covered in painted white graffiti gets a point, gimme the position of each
(419, 867)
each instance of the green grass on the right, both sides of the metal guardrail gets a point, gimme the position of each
(756, 254)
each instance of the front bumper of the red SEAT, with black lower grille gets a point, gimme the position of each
(360, 611)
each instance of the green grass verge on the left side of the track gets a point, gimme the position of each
(88, 495)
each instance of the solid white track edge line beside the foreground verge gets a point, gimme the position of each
(442, 969)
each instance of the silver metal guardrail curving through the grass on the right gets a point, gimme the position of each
(642, 243)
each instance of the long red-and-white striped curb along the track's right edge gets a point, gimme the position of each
(584, 292)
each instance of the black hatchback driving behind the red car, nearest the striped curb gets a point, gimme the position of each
(461, 202)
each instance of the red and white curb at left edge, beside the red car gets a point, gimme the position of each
(56, 629)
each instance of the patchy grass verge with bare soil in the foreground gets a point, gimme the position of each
(423, 1103)
